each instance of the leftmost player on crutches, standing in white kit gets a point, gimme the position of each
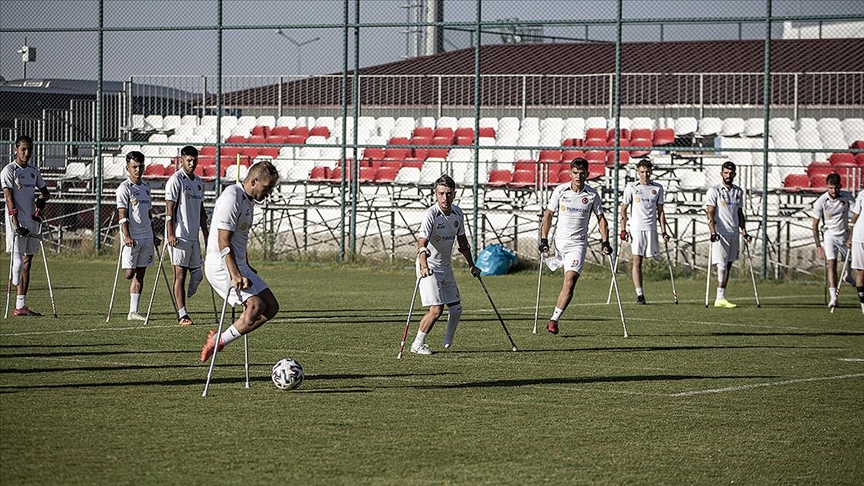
(20, 181)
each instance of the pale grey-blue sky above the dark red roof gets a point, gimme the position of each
(251, 46)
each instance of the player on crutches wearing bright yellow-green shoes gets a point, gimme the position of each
(724, 203)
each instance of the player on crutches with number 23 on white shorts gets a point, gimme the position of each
(574, 202)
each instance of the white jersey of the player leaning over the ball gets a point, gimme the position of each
(232, 212)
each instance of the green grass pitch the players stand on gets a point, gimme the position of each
(693, 396)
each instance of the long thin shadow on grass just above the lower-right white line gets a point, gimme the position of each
(580, 381)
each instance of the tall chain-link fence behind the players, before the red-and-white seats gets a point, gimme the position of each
(361, 105)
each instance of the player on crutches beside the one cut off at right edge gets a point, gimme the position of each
(831, 212)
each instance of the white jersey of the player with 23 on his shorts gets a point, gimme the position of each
(574, 212)
